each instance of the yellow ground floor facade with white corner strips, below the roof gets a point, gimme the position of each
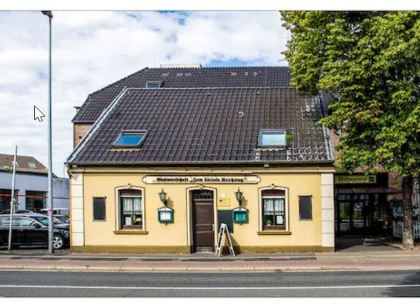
(147, 211)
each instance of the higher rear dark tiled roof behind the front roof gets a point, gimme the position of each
(184, 78)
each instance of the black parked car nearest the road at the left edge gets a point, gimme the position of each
(32, 230)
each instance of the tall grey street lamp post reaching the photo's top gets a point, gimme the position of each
(50, 192)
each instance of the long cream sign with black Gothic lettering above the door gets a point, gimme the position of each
(149, 179)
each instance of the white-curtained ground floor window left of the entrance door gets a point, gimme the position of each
(131, 208)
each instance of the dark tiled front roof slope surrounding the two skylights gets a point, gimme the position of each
(206, 125)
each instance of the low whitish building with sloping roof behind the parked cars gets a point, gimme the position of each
(31, 184)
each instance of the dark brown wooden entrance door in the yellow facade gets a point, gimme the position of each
(203, 220)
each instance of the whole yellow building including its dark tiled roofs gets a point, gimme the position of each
(173, 153)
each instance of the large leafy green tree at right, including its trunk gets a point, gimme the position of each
(369, 64)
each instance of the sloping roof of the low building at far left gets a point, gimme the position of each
(24, 164)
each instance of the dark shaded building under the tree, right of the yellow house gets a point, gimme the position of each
(366, 204)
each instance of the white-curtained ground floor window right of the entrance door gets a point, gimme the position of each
(274, 209)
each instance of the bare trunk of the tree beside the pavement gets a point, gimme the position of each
(407, 191)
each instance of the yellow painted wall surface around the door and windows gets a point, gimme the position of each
(104, 184)
